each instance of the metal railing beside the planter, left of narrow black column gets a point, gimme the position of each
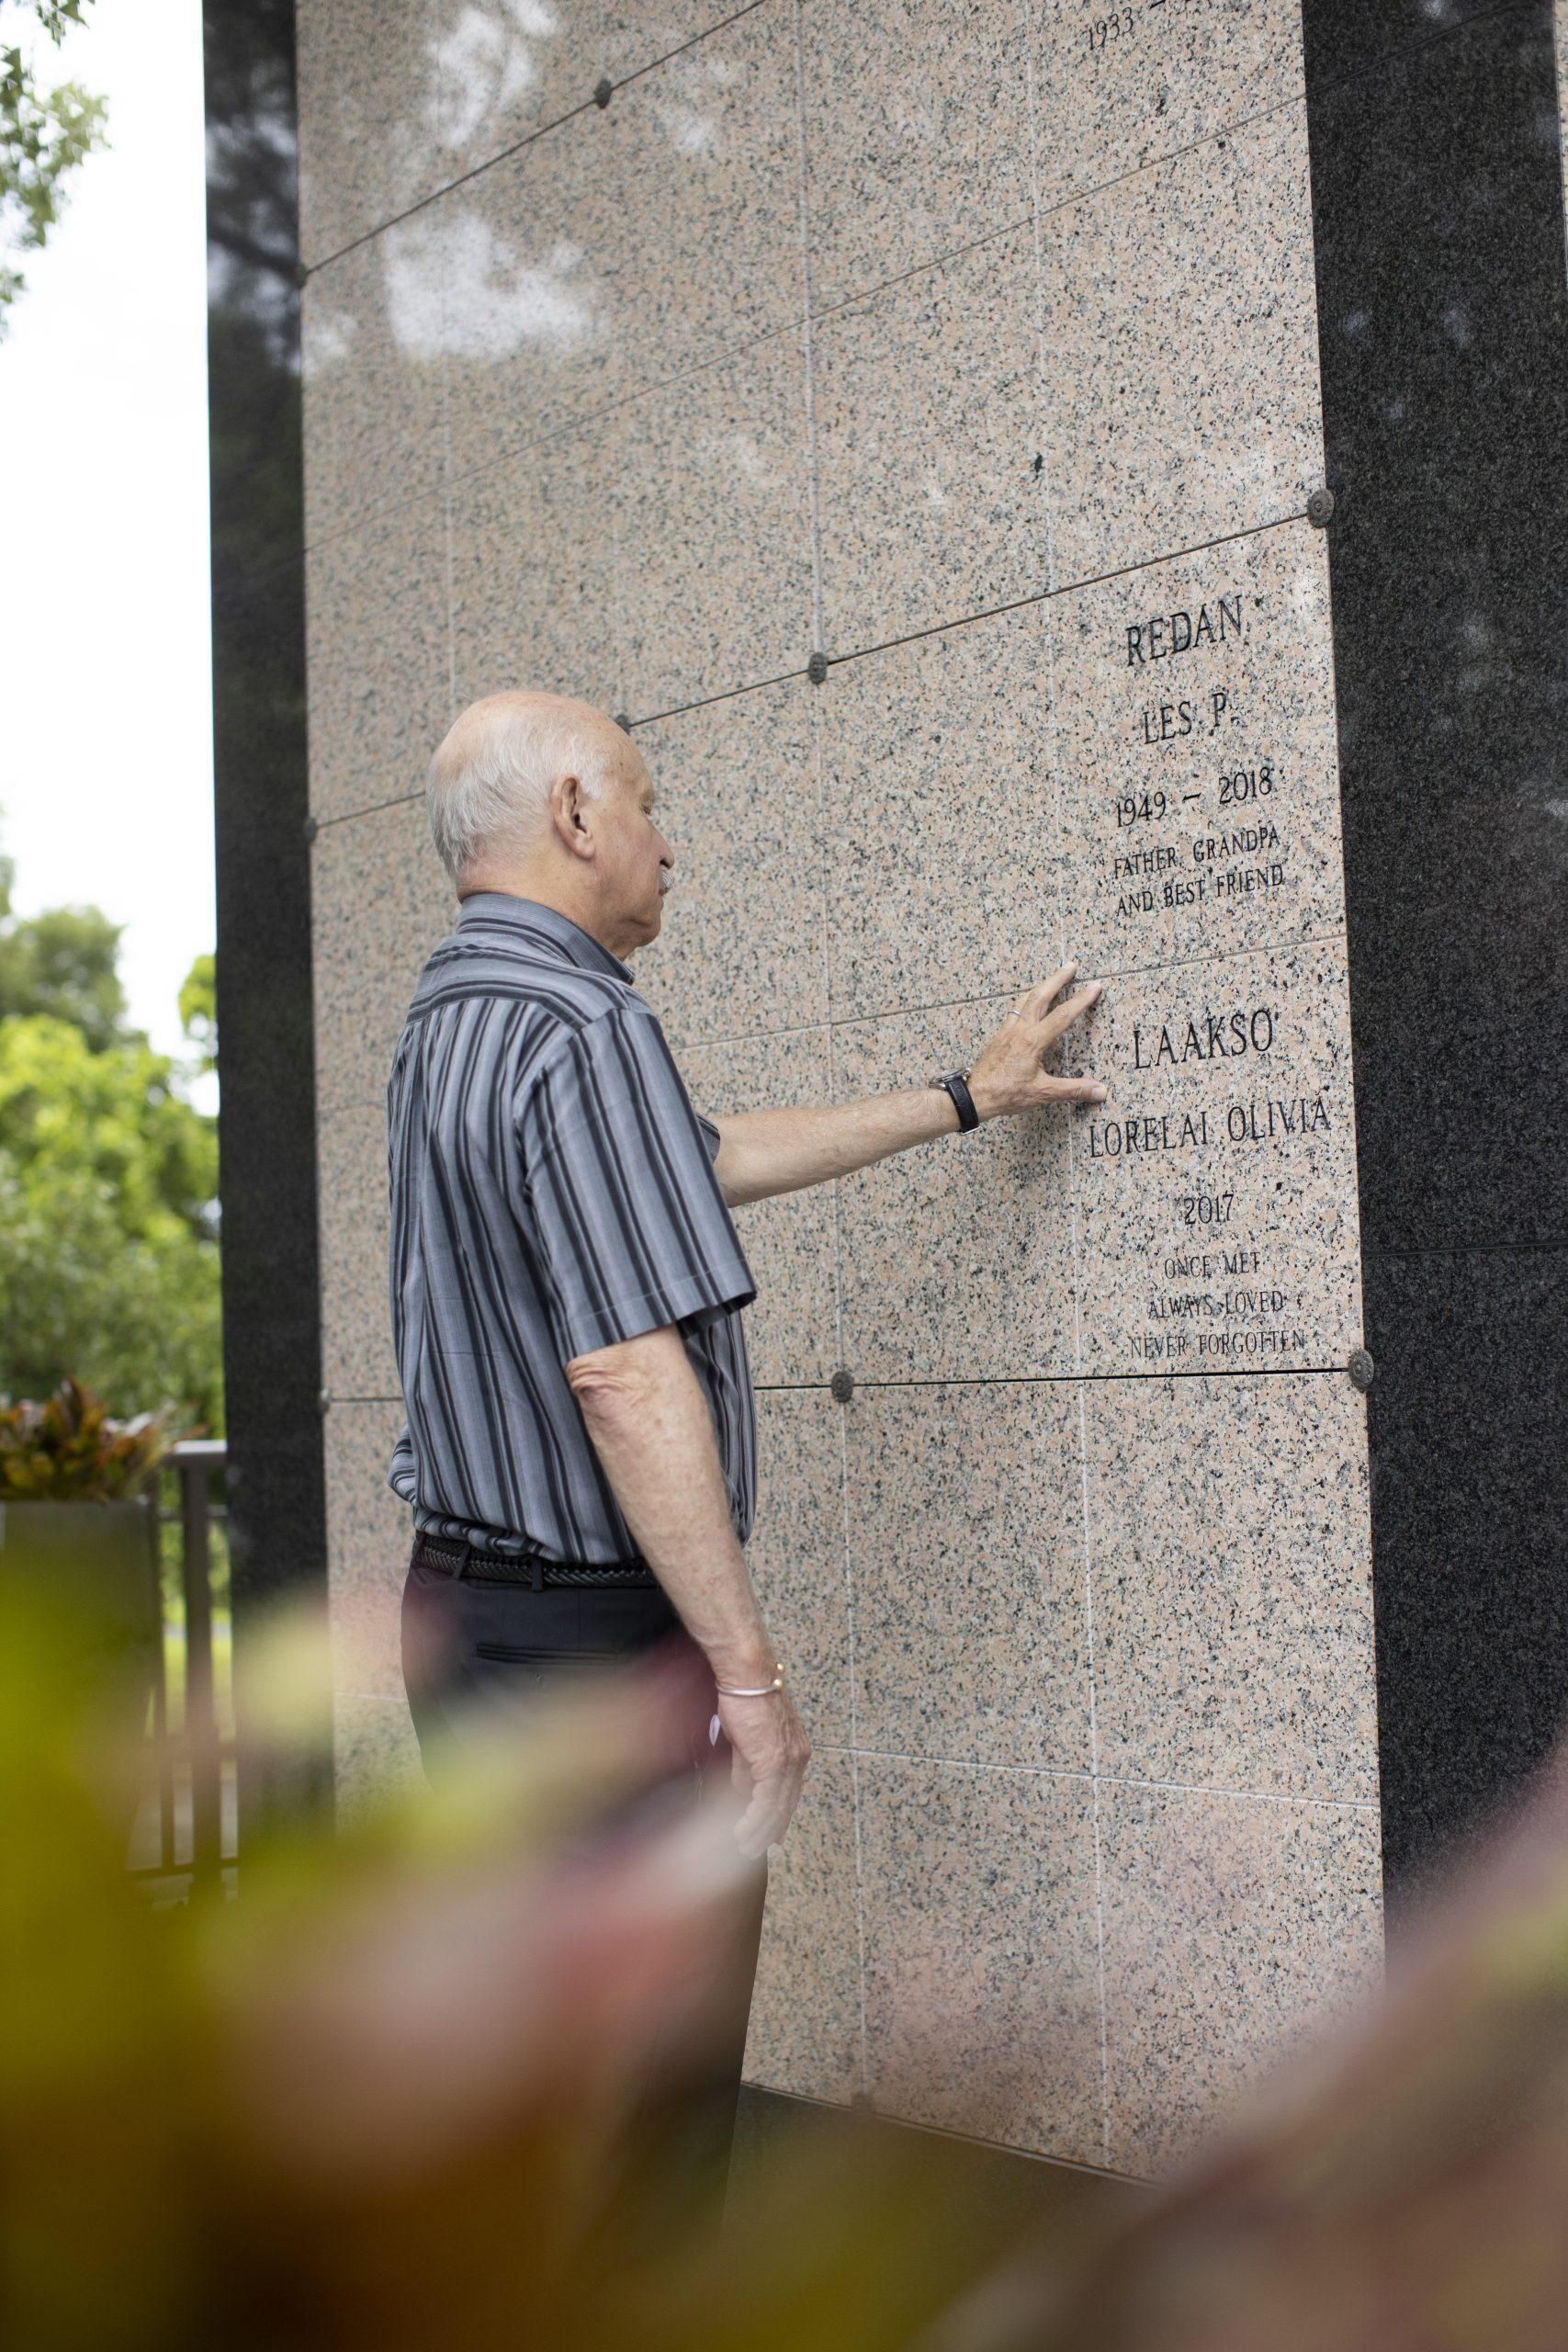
(187, 1826)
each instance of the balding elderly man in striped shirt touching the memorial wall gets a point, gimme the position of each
(568, 1281)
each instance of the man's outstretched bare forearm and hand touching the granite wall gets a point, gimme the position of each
(782, 1151)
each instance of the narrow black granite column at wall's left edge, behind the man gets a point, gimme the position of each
(267, 1130)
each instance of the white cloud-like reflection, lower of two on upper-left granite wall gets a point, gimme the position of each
(455, 286)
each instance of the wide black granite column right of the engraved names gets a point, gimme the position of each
(1445, 347)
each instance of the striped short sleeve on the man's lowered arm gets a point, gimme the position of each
(622, 1201)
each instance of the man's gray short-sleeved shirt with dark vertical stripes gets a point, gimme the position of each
(551, 1194)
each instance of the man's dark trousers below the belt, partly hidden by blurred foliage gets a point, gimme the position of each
(476, 1645)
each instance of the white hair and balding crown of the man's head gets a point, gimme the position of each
(492, 777)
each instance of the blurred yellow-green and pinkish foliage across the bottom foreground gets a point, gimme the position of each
(424, 2085)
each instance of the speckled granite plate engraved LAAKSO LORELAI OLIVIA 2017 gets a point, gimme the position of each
(1217, 1189)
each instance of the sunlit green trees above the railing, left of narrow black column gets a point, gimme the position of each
(109, 1175)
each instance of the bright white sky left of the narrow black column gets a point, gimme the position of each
(105, 634)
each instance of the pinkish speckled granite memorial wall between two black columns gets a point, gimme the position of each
(909, 417)
